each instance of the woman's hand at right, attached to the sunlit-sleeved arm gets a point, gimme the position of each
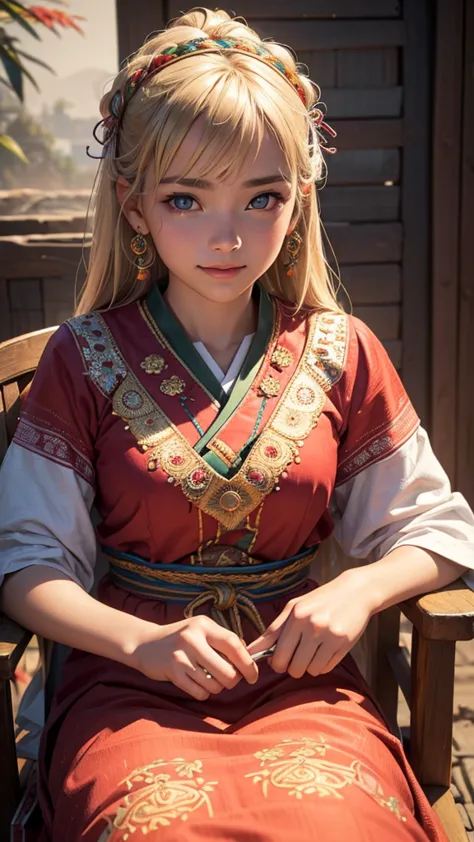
(315, 631)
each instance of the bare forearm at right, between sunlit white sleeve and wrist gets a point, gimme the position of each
(405, 572)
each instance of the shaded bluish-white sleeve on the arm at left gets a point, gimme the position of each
(45, 517)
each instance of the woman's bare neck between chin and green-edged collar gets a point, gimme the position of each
(220, 326)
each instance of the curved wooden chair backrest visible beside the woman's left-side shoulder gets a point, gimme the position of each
(19, 358)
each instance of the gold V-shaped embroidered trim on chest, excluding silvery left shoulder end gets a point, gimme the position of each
(295, 415)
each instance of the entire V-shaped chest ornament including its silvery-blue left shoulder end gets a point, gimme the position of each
(296, 414)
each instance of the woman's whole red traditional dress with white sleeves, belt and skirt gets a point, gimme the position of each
(213, 501)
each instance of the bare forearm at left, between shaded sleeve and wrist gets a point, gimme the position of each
(50, 604)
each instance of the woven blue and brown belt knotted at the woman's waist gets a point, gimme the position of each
(233, 589)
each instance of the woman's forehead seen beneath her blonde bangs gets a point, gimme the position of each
(261, 156)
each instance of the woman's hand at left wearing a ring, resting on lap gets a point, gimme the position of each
(182, 653)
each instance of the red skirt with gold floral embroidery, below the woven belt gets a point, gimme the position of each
(285, 758)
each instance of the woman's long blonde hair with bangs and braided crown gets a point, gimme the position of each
(241, 96)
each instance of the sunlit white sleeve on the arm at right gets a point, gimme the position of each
(405, 498)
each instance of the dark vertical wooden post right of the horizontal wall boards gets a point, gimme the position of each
(416, 205)
